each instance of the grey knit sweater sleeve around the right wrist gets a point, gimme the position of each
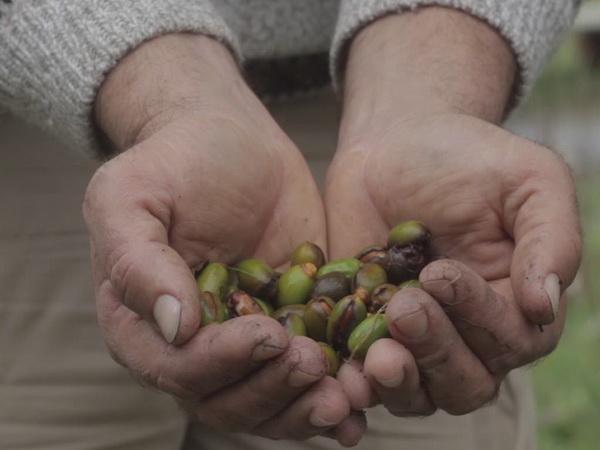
(533, 28)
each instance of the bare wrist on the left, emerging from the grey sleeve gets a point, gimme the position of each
(161, 80)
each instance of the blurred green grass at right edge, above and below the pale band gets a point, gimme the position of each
(567, 382)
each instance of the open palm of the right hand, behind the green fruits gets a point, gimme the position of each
(454, 182)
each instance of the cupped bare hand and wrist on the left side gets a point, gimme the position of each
(206, 174)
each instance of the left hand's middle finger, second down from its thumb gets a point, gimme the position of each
(267, 391)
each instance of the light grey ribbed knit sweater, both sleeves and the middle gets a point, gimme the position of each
(55, 54)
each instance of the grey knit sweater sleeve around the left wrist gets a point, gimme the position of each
(55, 54)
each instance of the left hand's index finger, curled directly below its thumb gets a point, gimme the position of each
(217, 356)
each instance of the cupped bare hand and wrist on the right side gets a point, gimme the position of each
(419, 140)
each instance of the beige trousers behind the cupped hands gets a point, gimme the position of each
(58, 387)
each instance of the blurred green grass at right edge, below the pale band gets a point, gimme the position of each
(567, 382)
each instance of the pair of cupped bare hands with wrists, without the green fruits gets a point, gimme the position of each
(203, 172)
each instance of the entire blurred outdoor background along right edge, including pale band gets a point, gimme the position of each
(563, 112)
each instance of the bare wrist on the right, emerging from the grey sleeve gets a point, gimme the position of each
(434, 60)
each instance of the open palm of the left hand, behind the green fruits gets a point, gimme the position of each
(233, 196)
